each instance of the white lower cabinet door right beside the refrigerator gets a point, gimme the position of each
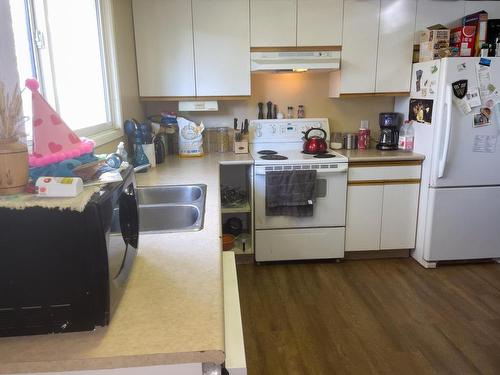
(399, 216)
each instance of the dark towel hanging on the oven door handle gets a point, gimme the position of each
(290, 193)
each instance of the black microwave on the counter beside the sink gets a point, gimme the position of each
(65, 271)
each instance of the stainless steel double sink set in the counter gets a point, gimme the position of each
(171, 208)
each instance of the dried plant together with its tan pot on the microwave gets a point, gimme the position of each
(13, 152)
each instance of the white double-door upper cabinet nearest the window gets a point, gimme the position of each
(182, 51)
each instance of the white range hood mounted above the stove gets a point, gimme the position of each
(295, 61)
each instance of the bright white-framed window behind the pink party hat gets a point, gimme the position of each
(66, 46)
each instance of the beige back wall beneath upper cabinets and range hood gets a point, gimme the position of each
(284, 89)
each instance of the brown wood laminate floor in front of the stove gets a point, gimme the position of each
(370, 317)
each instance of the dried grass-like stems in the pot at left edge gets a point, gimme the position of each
(11, 121)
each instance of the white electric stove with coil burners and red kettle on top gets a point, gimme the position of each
(276, 145)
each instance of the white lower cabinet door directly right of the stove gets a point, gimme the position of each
(364, 214)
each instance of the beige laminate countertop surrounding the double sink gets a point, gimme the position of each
(172, 308)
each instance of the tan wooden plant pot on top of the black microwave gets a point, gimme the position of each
(13, 167)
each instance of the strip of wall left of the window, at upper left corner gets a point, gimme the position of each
(8, 64)
